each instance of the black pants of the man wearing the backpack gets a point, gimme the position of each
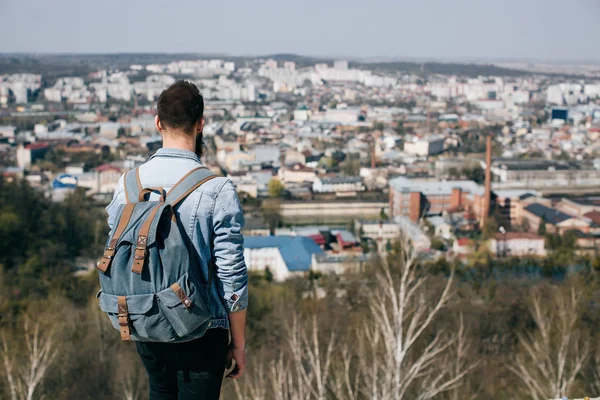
(186, 371)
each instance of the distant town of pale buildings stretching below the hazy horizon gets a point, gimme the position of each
(333, 160)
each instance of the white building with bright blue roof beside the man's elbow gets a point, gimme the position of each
(284, 256)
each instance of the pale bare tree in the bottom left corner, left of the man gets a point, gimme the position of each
(24, 377)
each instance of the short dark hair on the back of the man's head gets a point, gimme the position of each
(180, 106)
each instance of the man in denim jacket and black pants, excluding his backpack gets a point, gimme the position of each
(212, 218)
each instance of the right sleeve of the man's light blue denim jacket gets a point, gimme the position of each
(228, 221)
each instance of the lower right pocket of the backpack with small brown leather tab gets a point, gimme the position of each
(188, 310)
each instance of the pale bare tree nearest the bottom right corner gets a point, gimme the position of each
(554, 354)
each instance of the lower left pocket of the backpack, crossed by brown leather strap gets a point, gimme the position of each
(147, 322)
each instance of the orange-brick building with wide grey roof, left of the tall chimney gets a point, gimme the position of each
(415, 198)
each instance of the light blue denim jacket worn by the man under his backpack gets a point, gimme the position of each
(212, 216)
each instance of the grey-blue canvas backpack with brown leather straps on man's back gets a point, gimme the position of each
(151, 284)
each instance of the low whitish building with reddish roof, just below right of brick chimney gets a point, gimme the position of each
(515, 244)
